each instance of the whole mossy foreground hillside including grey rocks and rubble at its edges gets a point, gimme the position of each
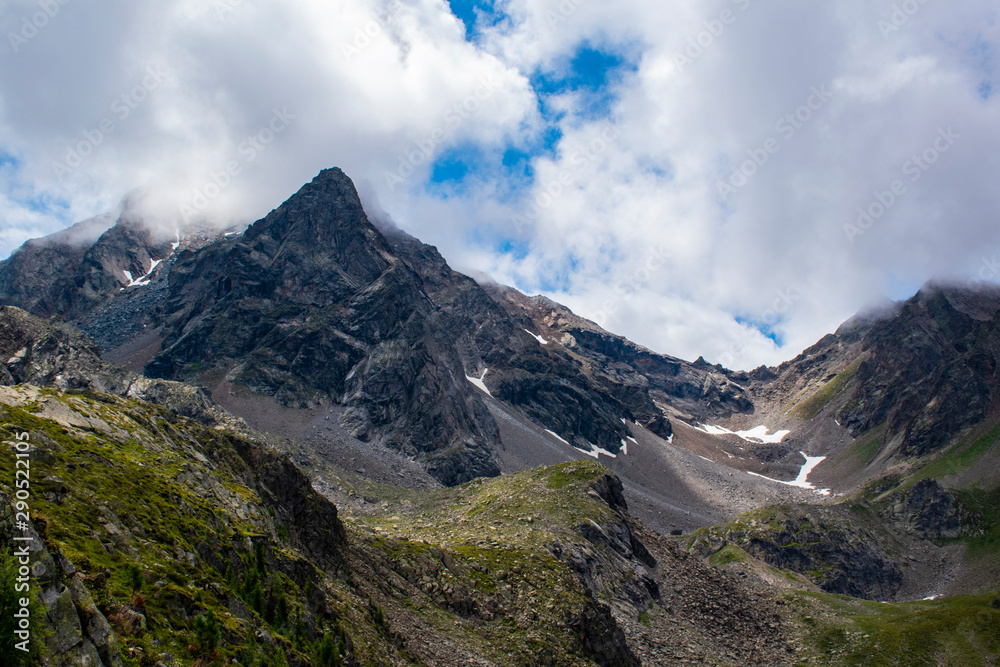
(159, 537)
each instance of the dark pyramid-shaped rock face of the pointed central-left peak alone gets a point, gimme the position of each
(311, 306)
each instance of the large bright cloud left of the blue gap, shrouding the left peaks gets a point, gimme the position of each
(222, 109)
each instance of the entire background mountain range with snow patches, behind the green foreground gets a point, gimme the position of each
(377, 342)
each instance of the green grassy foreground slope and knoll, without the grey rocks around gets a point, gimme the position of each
(170, 524)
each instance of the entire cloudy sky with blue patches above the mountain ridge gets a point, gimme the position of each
(708, 178)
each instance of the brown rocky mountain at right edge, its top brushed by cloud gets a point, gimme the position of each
(901, 382)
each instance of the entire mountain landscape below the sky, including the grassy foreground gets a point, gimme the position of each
(314, 443)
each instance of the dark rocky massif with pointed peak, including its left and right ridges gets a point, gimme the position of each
(317, 308)
